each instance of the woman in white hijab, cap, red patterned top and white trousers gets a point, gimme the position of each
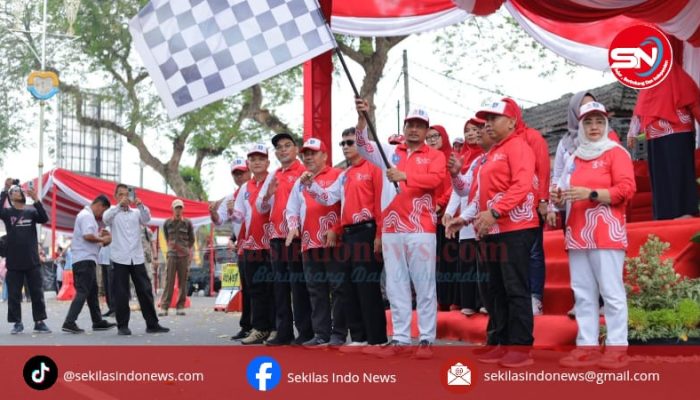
(597, 182)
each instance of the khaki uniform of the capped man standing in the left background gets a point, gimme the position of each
(180, 237)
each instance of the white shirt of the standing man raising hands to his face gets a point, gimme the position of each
(126, 233)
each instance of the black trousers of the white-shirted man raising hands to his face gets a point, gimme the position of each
(142, 285)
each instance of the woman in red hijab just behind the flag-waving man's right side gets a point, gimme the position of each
(447, 249)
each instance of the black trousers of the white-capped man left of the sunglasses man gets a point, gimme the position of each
(327, 282)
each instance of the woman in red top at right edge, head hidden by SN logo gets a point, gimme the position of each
(667, 114)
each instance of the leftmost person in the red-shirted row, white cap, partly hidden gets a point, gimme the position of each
(241, 174)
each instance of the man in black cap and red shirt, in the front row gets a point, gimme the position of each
(285, 260)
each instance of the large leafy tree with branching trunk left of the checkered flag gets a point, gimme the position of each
(103, 53)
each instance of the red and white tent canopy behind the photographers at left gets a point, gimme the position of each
(75, 191)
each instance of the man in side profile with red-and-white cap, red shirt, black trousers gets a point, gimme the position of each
(507, 224)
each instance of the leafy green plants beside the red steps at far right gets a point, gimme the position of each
(664, 308)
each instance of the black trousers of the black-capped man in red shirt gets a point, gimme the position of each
(290, 291)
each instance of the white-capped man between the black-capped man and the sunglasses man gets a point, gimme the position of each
(319, 227)
